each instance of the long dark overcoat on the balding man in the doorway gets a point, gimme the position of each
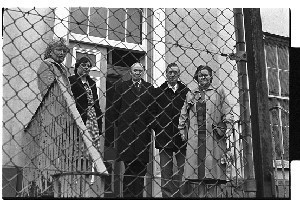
(131, 111)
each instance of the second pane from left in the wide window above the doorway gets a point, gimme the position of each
(98, 24)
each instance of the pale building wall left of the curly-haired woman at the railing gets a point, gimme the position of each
(24, 41)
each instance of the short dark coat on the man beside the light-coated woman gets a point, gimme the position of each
(168, 107)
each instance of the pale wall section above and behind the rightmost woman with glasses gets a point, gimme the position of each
(198, 31)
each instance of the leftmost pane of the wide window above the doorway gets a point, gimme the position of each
(79, 20)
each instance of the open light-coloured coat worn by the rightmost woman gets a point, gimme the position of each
(217, 110)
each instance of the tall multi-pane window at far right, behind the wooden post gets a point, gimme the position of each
(277, 63)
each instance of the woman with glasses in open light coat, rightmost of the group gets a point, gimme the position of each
(202, 123)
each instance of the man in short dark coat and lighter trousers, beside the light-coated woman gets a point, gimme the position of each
(170, 98)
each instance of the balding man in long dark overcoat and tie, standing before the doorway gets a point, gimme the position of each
(132, 99)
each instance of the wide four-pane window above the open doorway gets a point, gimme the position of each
(118, 24)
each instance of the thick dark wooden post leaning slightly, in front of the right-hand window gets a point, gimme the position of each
(260, 120)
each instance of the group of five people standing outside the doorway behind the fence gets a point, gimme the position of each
(189, 124)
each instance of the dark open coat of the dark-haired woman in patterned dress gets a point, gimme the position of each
(80, 96)
